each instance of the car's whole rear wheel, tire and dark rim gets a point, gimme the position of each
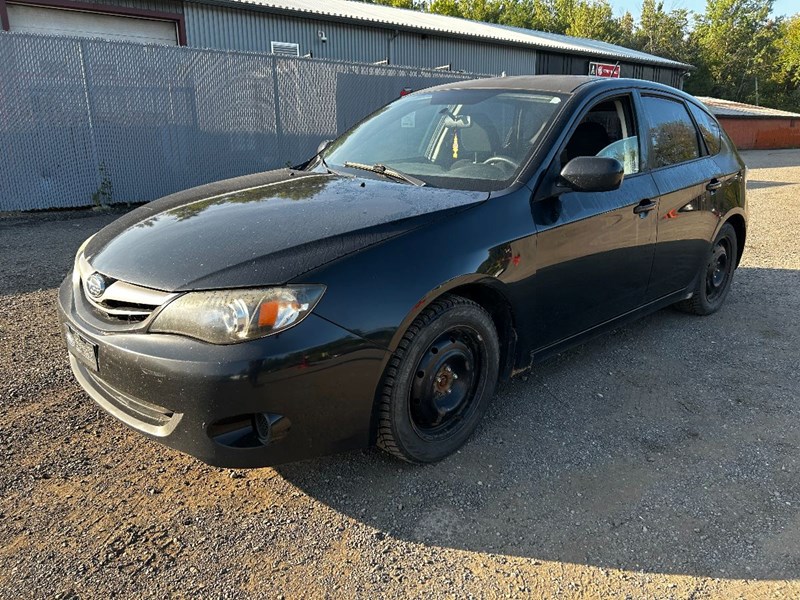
(716, 275)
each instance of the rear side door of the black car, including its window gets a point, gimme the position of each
(685, 176)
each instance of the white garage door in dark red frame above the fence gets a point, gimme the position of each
(56, 21)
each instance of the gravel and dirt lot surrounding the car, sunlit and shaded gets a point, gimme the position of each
(660, 461)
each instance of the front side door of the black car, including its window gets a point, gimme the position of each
(595, 250)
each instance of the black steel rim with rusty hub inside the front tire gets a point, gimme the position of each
(445, 380)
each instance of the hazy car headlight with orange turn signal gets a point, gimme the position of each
(230, 316)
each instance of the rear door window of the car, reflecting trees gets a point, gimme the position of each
(672, 132)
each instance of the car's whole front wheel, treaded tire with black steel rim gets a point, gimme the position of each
(439, 382)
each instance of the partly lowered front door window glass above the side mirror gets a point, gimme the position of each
(607, 130)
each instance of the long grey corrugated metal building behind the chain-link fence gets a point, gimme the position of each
(334, 29)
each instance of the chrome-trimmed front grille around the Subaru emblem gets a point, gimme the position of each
(120, 302)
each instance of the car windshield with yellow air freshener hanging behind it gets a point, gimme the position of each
(460, 139)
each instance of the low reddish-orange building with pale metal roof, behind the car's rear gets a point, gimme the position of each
(756, 127)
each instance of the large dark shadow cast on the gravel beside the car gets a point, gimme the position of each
(669, 446)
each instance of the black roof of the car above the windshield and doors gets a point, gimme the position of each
(563, 84)
